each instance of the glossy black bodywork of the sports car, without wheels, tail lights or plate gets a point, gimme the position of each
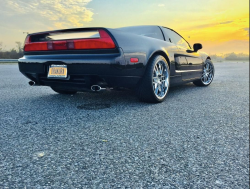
(112, 67)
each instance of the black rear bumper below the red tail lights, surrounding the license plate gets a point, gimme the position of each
(83, 71)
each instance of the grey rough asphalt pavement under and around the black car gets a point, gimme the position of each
(197, 138)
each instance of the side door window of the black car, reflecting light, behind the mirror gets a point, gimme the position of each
(175, 38)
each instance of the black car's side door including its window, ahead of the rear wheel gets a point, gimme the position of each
(187, 63)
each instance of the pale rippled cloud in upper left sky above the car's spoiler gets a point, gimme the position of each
(62, 13)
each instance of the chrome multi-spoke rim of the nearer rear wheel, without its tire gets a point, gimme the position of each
(160, 79)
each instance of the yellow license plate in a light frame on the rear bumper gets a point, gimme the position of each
(57, 71)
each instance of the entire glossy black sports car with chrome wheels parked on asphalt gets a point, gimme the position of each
(146, 58)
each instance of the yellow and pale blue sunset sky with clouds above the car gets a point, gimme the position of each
(222, 26)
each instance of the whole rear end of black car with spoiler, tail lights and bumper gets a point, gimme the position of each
(76, 59)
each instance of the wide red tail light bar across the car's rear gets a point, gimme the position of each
(104, 42)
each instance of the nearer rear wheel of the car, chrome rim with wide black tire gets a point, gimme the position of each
(155, 83)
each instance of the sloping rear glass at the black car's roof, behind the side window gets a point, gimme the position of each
(148, 31)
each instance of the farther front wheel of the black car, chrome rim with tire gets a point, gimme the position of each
(207, 74)
